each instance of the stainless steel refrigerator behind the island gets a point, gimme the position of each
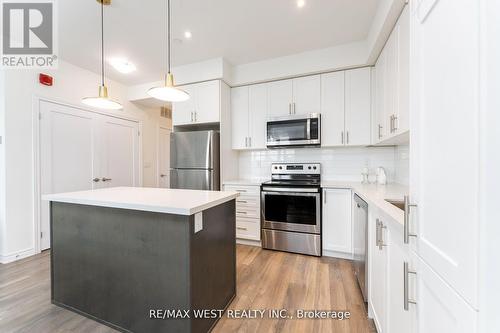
(194, 160)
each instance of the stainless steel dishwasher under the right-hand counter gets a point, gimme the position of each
(360, 240)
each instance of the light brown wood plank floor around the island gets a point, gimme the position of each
(266, 280)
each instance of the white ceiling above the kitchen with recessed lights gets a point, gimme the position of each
(241, 31)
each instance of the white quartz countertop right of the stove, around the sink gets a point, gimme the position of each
(376, 195)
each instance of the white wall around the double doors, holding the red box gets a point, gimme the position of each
(71, 84)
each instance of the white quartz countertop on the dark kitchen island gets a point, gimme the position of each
(161, 200)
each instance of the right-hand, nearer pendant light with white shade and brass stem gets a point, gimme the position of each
(168, 92)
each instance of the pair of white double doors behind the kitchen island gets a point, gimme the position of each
(80, 150)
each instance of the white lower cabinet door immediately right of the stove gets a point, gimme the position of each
(337, 220)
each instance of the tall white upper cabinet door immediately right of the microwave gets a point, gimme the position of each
(332, 109)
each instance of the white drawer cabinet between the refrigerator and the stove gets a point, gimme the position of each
(247, 211)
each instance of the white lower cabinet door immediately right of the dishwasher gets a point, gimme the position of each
(378, 276)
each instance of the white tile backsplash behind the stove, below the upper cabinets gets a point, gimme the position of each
(336, 163)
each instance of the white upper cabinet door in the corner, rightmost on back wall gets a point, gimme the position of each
(358, 107)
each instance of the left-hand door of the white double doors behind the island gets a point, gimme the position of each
(67, 159)
